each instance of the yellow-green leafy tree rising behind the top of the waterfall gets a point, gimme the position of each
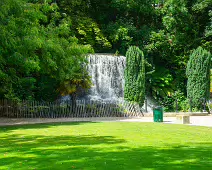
(84, 27)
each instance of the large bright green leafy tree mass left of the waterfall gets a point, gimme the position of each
(39, 56)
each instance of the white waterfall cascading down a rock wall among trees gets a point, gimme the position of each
(107, 74)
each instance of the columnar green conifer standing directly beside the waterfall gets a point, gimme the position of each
(135, 75)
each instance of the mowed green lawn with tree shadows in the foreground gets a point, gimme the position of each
(105, 146)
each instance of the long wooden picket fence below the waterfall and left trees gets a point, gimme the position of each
(62, 109)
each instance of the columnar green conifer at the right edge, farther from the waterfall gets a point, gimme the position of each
(198, 73)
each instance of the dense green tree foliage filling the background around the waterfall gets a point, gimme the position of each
(43, 43)
